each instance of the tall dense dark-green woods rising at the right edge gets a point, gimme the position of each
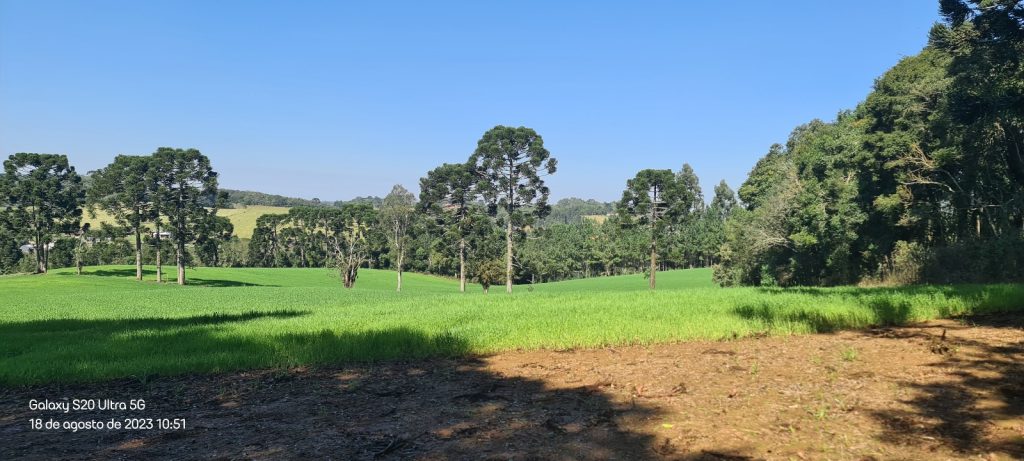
(924, 182)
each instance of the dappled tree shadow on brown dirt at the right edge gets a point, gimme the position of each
(970, 413)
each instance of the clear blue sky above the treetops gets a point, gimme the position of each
(335, 100)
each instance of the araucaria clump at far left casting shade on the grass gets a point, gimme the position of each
(45, 198)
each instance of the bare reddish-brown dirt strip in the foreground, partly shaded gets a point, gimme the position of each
(884, 394)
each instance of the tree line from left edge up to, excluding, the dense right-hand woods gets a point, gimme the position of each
(486, 220)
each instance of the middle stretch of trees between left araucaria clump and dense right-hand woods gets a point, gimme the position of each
(488, 220)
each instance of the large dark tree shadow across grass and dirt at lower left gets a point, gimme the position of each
(440, 408)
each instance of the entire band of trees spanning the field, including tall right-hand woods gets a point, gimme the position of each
(923, 182)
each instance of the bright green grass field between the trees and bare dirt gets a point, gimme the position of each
(65, 328)
